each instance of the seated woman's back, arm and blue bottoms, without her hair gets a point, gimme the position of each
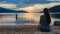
(43, 25)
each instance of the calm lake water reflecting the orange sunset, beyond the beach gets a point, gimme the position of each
(23, 18)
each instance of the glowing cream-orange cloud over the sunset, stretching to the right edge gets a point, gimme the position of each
(38, 7)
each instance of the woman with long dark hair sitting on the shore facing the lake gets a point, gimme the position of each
(44, 21)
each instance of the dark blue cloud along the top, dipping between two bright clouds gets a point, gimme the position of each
(21, 3)
